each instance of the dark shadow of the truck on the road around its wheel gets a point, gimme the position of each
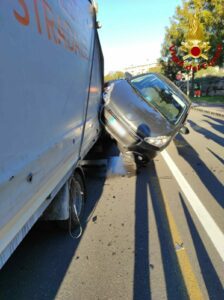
(39, 265)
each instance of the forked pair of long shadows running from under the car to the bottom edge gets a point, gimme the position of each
(146, 181)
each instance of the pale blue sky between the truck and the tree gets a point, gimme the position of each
(133, 30)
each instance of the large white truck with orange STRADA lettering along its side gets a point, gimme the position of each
(51, 79)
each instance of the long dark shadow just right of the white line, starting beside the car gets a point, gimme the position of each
(209, 180)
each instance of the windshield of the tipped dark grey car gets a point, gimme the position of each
(158, 94)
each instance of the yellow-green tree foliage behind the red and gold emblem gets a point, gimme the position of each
(210, 16)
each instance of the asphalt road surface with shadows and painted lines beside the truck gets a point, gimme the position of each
(157, 235)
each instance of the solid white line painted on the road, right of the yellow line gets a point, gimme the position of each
(210, 226)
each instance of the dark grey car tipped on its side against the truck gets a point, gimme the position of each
(143, 114)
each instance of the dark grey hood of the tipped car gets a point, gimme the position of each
(131, 109)
